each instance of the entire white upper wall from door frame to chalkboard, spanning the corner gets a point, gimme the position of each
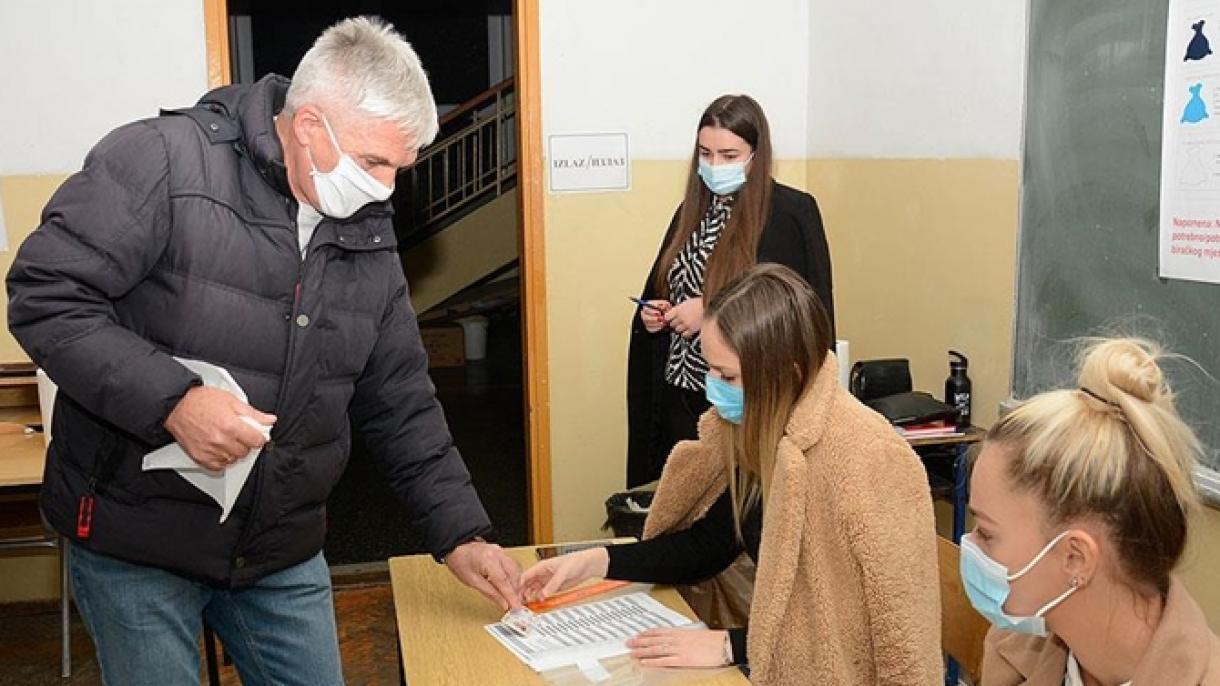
(889, 79)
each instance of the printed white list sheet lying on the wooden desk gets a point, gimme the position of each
(584, 634)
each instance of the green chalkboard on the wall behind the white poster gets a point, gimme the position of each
(1090, 203)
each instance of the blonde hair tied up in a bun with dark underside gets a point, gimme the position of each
(1114, 449)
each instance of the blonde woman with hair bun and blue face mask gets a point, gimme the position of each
(1083, 500)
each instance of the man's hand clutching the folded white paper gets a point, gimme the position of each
(208, 424)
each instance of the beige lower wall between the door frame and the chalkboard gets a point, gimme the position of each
(897, 229)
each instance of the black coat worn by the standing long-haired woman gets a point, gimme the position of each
(794, 237)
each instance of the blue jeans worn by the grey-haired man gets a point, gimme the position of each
(146, 623)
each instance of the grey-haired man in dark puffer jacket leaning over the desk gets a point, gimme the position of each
(252, 233)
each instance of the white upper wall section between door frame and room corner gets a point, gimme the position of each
(651, 69)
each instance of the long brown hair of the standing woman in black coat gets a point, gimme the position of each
(737, 248)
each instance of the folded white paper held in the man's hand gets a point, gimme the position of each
(221, 486)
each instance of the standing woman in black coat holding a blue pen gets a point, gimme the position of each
(734, 215)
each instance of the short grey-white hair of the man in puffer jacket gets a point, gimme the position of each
(367, 65)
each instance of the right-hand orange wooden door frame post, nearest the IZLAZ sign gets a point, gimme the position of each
(534, 272)
